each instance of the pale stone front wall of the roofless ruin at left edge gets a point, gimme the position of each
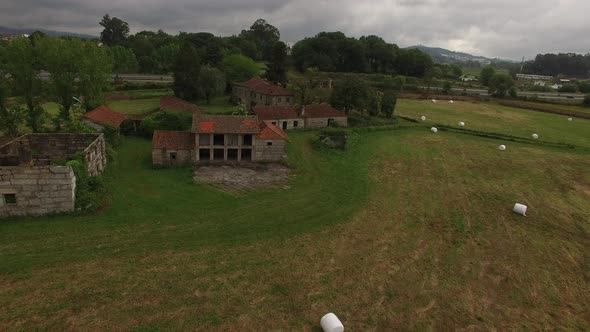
(38, 190)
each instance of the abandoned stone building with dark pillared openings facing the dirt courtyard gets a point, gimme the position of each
(220, 138)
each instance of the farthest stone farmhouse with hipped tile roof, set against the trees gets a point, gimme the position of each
(258, 91)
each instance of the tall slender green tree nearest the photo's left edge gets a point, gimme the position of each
(24, 78)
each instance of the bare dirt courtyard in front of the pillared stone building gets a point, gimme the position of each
(243, 177)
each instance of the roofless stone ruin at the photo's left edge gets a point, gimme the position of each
(30, 181)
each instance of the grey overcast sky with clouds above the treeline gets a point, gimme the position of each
(493, 28)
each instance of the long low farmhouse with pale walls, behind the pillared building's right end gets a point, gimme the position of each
(312, 116)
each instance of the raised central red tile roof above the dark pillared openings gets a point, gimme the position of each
(225, 124)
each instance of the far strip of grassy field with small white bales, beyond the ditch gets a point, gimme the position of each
(500, 119)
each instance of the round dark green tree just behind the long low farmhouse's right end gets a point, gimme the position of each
(350, 94)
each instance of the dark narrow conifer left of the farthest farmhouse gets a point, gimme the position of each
(187, 68)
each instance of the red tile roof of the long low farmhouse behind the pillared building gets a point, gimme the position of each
(296, 112)
